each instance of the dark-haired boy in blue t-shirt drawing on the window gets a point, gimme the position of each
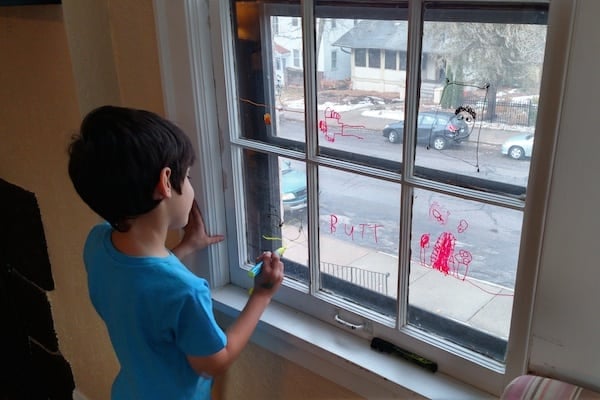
(131, 167)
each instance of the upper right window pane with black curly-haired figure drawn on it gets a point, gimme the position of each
(481, 73)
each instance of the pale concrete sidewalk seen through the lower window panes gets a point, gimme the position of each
(483, 306)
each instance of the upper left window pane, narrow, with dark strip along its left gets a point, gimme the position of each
(270, 76)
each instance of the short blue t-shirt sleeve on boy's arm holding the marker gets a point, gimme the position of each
(197, 332)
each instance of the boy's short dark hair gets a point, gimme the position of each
(116, 159)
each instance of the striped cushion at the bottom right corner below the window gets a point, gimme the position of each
(531, 387)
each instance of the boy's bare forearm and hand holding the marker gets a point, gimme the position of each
(238, 334)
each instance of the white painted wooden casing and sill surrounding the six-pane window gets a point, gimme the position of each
(192, 58)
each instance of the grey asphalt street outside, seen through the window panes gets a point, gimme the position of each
(485, 239)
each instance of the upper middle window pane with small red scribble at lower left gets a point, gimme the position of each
(358, 105)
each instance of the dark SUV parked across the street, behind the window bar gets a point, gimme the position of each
(436, 128)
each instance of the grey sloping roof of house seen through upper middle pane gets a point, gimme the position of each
(377, 34)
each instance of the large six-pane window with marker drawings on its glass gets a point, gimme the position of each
(400, 209)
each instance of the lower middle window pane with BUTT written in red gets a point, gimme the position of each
(358, 238)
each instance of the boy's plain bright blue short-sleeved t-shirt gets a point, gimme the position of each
(156, 312)
